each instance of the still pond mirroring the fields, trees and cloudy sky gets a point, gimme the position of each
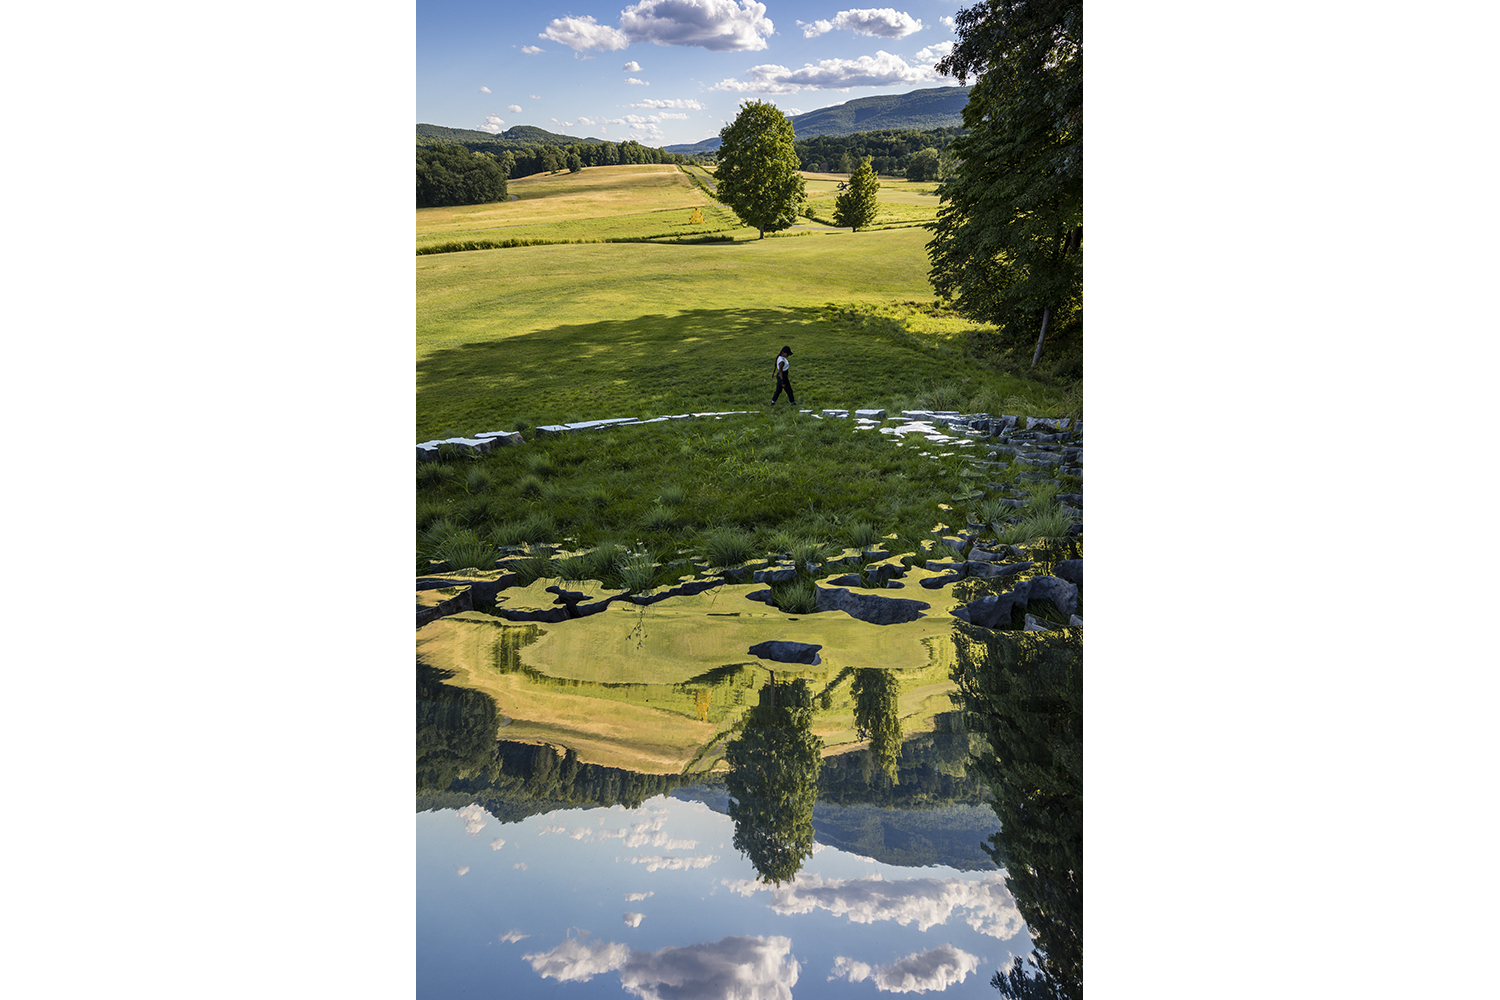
(706, 797)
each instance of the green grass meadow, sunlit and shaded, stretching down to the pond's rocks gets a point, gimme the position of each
(511, 340)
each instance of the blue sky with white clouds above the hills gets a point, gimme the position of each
(665, 71)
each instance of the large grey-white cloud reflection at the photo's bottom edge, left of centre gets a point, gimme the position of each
(745, 968)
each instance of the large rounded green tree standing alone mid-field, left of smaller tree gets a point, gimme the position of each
(758, 169)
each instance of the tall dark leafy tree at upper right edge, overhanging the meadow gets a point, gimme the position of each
(1009, 242)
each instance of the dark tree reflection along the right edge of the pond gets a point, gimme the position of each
(1024, 692)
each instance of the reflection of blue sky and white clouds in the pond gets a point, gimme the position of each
(658, 903)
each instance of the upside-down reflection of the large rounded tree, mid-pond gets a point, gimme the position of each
(773, 780)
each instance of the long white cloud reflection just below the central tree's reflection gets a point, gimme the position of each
(988, 905)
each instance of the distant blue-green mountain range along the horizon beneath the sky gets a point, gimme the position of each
(920, 110)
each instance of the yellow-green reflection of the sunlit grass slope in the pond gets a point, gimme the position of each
(656, 692)
